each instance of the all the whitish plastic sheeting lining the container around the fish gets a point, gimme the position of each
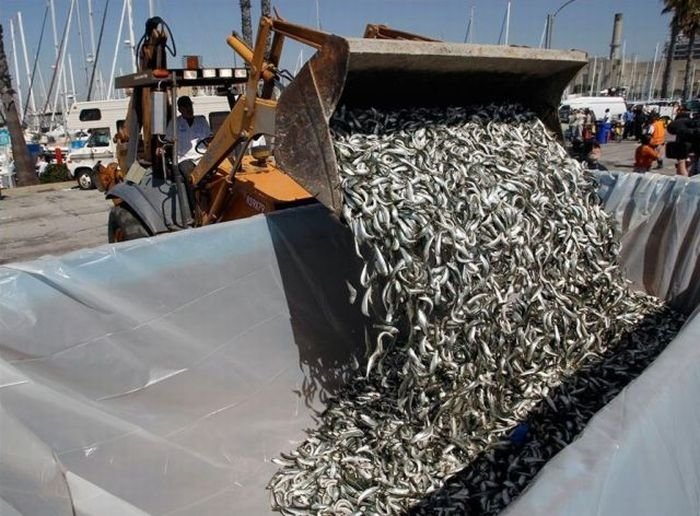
(161, 376)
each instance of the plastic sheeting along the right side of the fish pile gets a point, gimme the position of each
(640, 454)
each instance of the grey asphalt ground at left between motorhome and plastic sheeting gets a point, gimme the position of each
(50, 219)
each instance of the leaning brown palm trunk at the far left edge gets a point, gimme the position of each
(23, 165)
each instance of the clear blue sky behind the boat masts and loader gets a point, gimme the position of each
(200, 27)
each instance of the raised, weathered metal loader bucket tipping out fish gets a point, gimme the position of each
(400, 74)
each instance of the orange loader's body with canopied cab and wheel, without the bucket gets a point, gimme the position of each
(159, 195)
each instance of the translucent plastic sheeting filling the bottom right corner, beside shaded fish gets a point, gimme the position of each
(639, 455)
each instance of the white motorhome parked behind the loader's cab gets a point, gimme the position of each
(102, 119)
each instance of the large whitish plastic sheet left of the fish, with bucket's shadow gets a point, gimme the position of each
(161, 376)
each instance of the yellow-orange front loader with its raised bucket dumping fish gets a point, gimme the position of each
(385, 69)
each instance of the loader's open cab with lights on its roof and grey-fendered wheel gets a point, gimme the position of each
(155, 194)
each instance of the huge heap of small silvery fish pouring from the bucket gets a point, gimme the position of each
(499, 317)
